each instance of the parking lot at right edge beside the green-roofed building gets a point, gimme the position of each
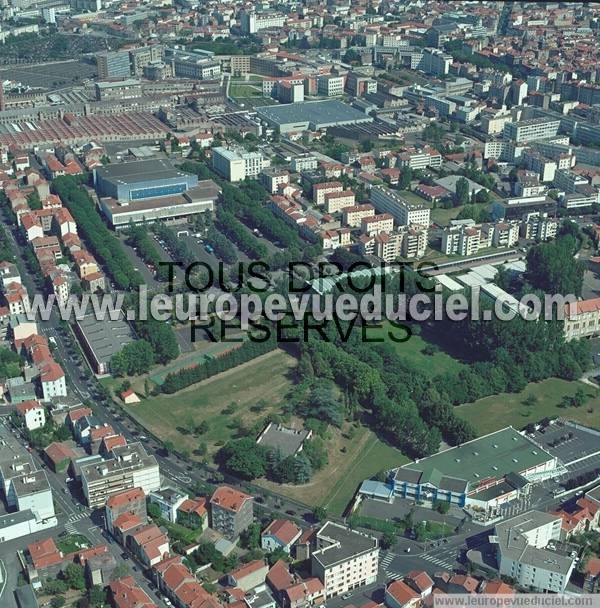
(568, 443)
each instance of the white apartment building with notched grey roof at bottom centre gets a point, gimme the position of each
(344, 559)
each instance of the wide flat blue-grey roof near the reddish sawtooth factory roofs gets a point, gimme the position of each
(328, 112)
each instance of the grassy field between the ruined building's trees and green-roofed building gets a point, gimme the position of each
(353, 457)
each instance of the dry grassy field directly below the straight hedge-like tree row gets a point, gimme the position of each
(265, 379)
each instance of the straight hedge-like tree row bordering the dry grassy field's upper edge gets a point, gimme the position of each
(249, 350)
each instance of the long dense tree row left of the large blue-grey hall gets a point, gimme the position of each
(101, 242)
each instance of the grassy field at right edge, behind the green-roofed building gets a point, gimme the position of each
(497, 411)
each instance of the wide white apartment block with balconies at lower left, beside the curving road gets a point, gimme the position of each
(130, 467)
